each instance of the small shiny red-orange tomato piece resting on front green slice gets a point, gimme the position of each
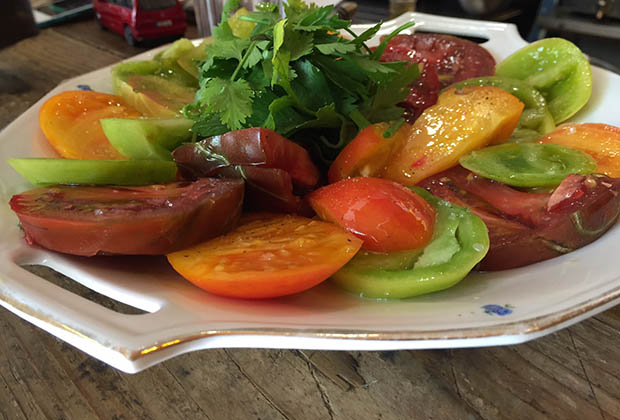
(387, 216)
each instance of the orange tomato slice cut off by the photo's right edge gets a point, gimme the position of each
(601, 141)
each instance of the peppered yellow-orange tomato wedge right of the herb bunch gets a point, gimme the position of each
(462, 120)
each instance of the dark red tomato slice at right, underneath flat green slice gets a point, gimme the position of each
(525, 228)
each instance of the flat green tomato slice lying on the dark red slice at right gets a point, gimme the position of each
(528, 164)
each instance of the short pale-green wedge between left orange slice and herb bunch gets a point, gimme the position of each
(147, 139)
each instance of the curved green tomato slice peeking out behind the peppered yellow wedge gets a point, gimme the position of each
(536, 120)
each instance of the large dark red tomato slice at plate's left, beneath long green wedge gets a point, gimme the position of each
(146, 220)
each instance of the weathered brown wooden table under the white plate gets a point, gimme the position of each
(572, 374)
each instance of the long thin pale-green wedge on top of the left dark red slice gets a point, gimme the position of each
(50, 171)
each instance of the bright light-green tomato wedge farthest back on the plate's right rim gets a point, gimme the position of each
(558, 69)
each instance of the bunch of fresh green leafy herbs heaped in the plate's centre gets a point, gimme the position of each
(299, 77)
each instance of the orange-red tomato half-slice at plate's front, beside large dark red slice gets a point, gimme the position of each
(267, 257)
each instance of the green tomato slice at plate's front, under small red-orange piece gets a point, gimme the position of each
(459, 242)
